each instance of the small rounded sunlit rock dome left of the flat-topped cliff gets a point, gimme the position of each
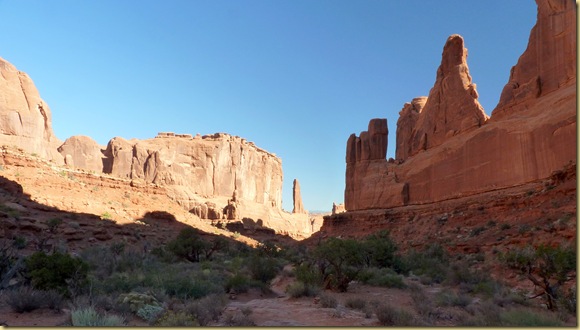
(82, 152)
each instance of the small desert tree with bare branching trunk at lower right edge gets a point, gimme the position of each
(547, 267)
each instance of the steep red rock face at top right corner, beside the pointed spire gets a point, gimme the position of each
(549, 61)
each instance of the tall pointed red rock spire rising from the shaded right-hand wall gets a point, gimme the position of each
(452, 106)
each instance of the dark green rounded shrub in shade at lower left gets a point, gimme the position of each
(56, 271)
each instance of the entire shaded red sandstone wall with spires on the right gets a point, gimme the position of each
(447, 147)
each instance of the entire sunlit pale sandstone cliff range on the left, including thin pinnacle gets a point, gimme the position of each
(217, 177)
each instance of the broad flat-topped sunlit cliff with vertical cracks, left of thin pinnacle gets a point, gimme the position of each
(212, 165)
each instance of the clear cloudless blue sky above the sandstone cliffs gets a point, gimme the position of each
(296, 77)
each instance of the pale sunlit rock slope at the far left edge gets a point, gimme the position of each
(25, 119)
